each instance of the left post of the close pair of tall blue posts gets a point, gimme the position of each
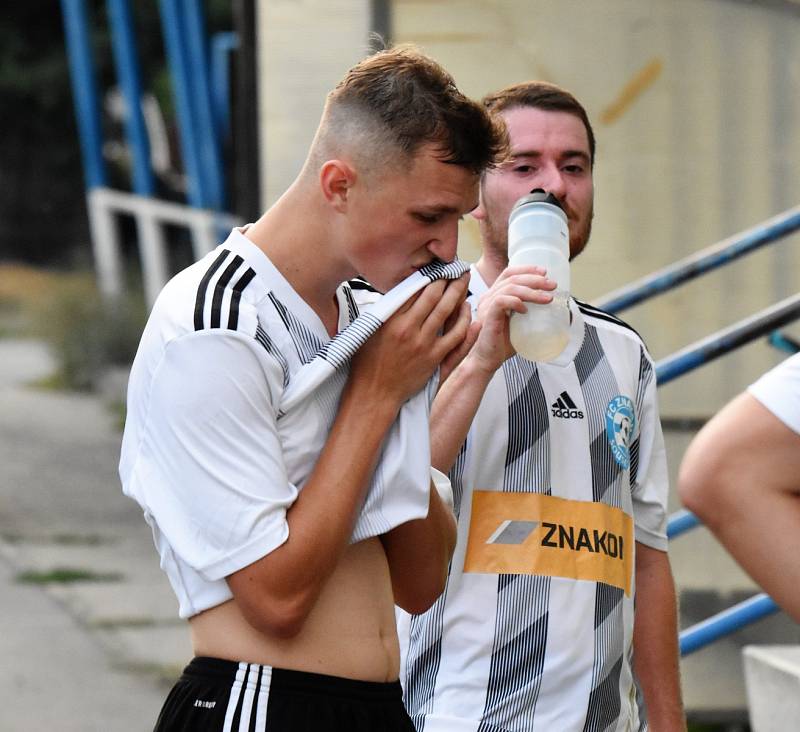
(180, 73)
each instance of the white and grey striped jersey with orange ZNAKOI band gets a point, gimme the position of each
(562, 472)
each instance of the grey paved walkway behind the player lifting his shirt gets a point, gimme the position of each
(87, 655)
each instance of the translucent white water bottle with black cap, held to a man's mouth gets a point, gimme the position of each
(538, 234)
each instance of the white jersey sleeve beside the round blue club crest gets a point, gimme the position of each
(650, 478)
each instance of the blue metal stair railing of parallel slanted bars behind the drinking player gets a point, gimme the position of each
(702, 352)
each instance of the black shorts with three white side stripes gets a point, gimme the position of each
(214, 695)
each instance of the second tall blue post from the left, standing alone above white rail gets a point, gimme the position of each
(125, 58)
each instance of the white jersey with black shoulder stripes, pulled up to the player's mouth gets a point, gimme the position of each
(212, 450)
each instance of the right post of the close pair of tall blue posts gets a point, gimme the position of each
(209, 153)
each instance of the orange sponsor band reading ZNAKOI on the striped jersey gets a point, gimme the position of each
(531, 533)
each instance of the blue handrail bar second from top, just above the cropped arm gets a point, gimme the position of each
(726, 340)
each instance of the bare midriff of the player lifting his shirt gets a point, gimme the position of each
(350, 632)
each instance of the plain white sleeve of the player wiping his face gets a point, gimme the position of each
(210, 466)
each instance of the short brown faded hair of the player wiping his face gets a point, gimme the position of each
(398, 100)
